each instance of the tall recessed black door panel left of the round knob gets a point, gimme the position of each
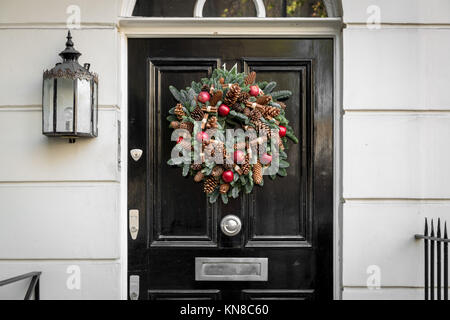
(193, 223)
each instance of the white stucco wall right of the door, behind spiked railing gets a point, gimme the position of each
(396, 132)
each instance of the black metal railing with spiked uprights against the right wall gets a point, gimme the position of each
(436, 261)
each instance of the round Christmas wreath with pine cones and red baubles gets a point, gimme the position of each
(225, 162)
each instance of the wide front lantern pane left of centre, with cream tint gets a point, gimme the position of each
(64, 105)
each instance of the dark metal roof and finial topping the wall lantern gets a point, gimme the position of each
(70, 67)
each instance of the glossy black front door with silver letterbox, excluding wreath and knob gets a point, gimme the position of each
(284, 249)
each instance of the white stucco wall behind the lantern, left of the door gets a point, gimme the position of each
(59, 202)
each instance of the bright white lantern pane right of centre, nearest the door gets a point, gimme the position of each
(84, 106)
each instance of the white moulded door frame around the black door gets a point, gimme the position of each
(138, 27)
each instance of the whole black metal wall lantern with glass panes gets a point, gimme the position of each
(70, 98)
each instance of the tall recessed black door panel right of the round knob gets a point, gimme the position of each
(279, 213)
